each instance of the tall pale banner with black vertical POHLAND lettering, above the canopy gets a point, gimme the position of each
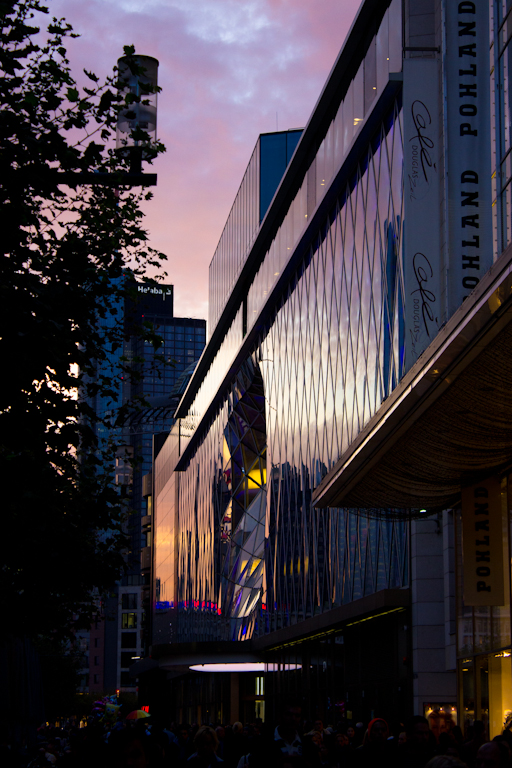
(468, 147)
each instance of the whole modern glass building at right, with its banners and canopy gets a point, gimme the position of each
(306, 496)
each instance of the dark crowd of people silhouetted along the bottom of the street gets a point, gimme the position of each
(433, 742)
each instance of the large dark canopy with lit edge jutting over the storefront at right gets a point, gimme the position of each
(449, 421)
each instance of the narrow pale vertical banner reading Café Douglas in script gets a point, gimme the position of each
(422, 225)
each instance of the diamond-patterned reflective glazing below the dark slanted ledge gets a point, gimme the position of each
(331, 351)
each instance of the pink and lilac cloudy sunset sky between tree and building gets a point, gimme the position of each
(229, 70)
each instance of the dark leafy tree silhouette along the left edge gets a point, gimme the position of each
(66, 250)
